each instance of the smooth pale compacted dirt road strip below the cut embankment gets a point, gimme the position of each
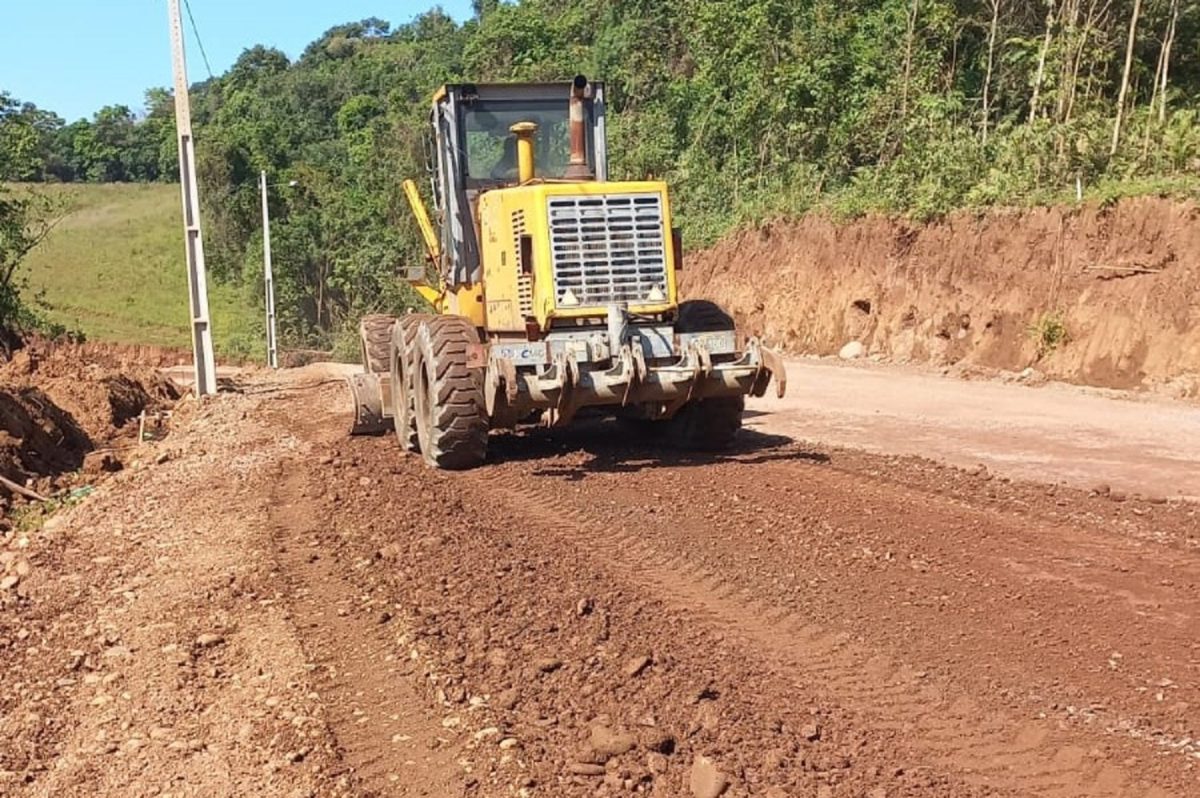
(1053, 433)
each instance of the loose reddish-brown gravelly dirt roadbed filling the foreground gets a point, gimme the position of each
(275, 610)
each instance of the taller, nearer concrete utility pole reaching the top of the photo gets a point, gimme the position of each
(197, 279)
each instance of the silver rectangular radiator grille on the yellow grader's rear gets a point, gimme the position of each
(608, 249)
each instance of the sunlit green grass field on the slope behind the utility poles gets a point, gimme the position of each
(115, 269)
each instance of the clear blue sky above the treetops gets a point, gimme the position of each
(74, 57)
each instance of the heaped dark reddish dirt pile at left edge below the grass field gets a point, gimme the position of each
(65, 409)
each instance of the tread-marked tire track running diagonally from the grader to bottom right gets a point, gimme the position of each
(947, 729)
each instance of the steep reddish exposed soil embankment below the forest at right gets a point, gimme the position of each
(1097, 296)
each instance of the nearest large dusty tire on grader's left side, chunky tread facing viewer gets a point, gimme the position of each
(452, 415)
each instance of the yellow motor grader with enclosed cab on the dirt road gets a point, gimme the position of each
(555, 291)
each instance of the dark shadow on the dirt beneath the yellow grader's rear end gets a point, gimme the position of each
(616, 448)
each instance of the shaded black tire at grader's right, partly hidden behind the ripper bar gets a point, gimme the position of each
(706, 424)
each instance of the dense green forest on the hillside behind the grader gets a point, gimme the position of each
(749, 107)
